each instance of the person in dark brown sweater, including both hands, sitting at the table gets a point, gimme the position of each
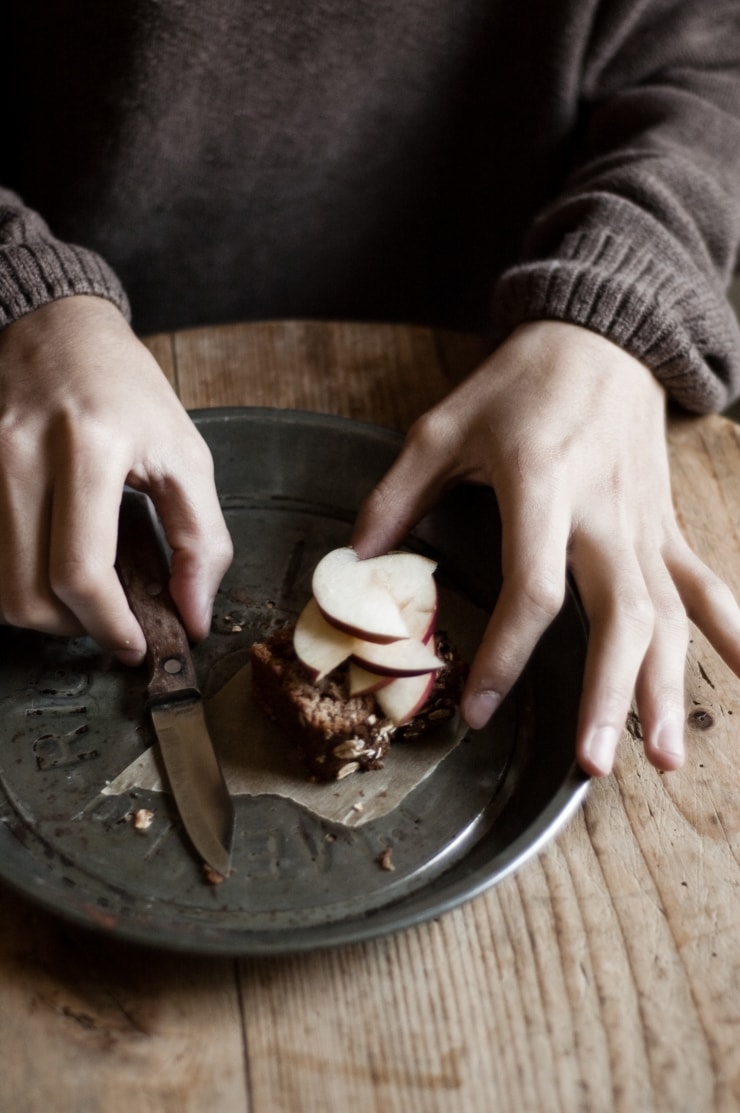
(561, 174)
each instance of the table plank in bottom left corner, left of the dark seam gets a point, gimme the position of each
(93, 1027)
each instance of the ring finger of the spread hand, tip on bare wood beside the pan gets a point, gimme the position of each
(660, 685)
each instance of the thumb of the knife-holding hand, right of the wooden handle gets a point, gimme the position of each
(202, 546)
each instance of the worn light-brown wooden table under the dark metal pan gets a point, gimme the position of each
(604, 977)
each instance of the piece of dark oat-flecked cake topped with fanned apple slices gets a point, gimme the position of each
(362, 666)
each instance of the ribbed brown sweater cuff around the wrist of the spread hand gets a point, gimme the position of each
(625, 292)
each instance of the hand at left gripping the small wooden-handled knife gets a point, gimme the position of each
(84, 410)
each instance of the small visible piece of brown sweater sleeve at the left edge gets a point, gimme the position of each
(36, 268)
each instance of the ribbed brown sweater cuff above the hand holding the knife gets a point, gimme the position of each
(33, 274)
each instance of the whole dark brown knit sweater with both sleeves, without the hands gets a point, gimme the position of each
(476, 164)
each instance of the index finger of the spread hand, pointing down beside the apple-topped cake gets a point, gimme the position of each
(535, 546)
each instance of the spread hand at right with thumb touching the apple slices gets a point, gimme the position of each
(569, 431)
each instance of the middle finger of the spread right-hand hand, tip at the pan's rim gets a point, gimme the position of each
(620, 616)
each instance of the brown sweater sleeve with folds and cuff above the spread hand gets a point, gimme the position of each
(642, 243)
